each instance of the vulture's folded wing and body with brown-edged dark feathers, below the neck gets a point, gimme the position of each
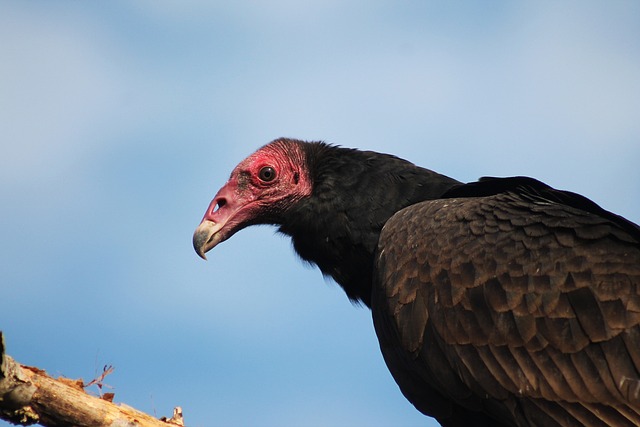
(523, 304)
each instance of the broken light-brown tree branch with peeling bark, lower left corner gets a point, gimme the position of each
(29, 396)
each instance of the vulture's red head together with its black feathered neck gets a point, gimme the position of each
(331, 201)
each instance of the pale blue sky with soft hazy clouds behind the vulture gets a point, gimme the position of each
(120, 120)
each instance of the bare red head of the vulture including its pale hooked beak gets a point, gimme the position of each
(260, 188)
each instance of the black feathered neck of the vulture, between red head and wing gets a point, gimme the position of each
(354, 194)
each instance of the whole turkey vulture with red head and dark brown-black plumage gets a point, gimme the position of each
(502, 302)
